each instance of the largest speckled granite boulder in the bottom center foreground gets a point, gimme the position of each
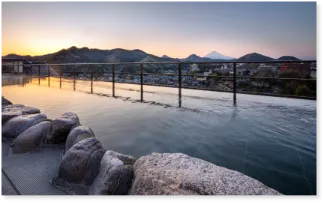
(179, 174)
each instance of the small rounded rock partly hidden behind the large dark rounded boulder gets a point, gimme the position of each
(76, 135)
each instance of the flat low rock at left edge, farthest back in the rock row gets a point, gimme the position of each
(10, 111)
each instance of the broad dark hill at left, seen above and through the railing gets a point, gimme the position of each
(86, 55)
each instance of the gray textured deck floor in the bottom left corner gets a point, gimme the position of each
(29, 174)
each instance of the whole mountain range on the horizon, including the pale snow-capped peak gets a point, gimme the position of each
(82, 55)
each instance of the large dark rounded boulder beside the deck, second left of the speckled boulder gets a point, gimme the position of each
(80, 164)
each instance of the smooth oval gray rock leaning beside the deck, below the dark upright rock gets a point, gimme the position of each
(30, 139)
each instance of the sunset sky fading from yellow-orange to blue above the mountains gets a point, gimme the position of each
(176, 28)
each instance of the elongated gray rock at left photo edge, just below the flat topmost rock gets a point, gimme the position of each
(19, 124)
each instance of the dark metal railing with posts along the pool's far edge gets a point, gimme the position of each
(179, 75)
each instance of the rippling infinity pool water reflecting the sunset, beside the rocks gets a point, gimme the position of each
(273, 140)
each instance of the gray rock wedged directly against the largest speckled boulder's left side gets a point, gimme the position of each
(114, 178)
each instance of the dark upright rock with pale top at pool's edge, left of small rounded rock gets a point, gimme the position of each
(61, 127)
